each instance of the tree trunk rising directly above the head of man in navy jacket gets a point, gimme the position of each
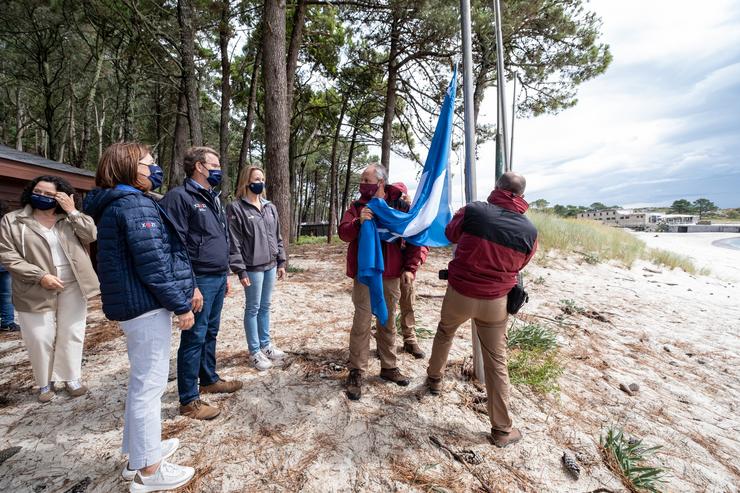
(187, 44)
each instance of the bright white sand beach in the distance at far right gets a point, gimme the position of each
(723, 262)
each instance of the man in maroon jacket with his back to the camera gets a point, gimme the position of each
(494, 242)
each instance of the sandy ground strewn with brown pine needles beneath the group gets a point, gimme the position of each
(292, 428)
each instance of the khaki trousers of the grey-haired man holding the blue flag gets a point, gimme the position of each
(359, 337)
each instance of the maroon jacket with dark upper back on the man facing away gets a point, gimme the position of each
(495, 240)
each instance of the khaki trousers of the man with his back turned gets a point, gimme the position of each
(490, 317)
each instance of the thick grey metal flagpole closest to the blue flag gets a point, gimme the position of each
(470, 182)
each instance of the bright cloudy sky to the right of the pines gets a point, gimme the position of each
(662, 123)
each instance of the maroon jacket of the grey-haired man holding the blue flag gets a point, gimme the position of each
(398, 257)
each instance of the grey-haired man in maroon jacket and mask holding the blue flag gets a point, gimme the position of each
(399, 263)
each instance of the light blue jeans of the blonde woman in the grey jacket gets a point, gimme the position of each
(257, 309)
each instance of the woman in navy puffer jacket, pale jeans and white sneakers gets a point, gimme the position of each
(145, 276)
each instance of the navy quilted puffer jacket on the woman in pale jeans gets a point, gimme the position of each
(142, 263)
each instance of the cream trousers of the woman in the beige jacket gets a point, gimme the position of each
(54, 338)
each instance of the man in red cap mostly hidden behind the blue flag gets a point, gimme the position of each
(399, 199)
